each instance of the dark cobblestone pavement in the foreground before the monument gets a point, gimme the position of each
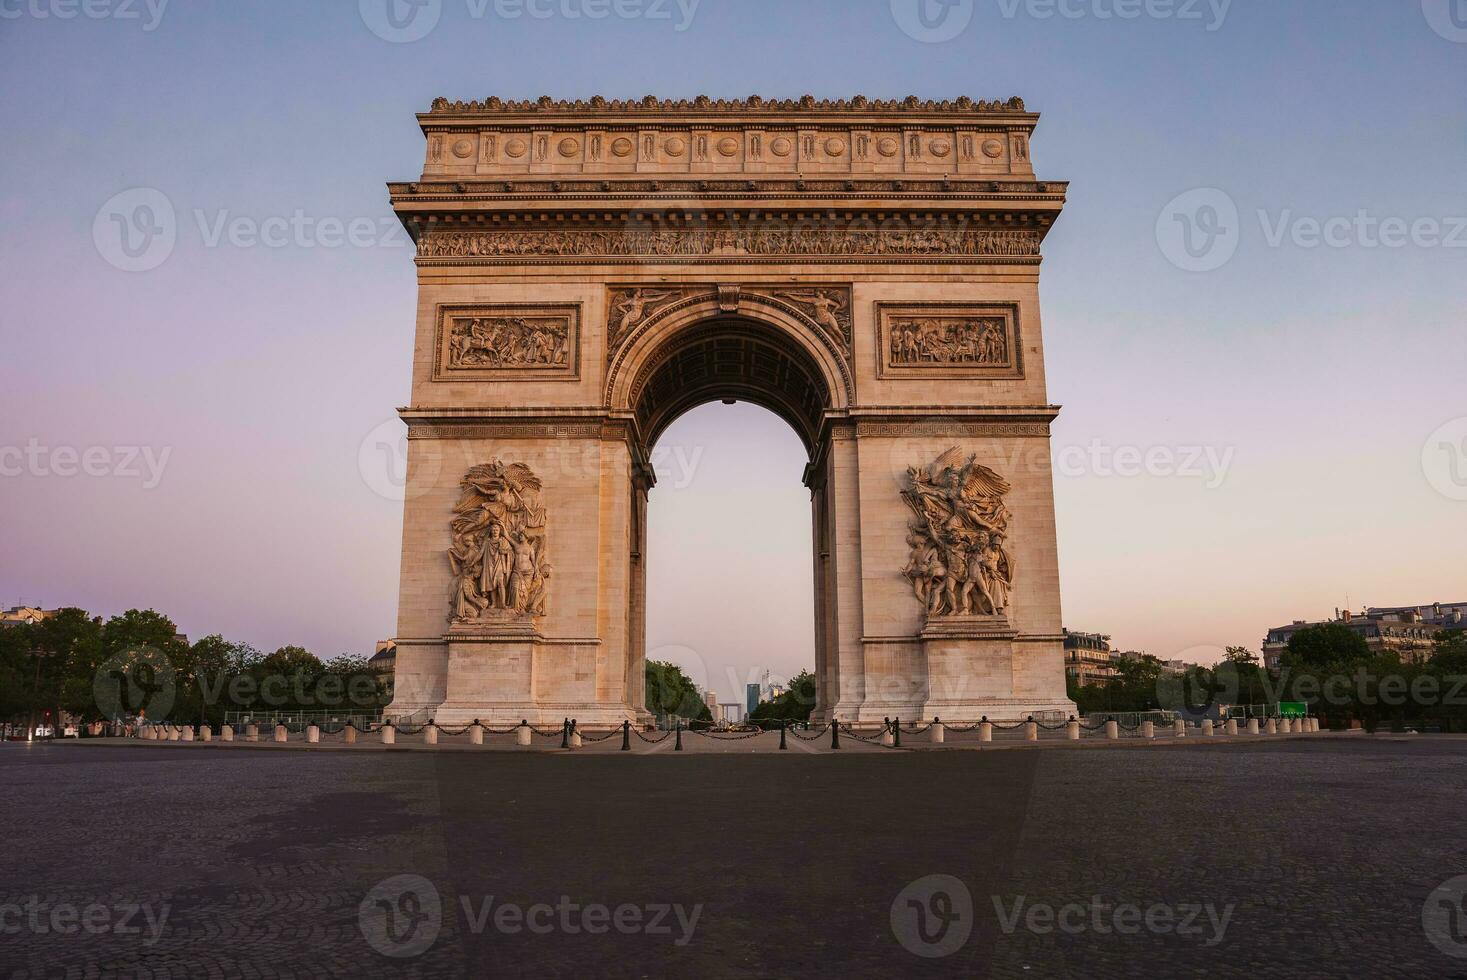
(1309, 857)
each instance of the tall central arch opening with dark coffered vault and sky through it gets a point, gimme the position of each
(730, 414)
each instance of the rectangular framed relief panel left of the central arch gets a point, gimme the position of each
(495, 343)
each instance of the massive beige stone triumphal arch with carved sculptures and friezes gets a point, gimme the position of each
(868, 271)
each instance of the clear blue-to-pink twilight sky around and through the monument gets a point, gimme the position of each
(1324, 379)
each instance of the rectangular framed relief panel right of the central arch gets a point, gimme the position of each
(948, 340)
